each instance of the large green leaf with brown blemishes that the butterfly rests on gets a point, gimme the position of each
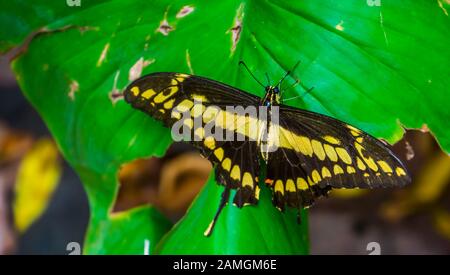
(377, 67)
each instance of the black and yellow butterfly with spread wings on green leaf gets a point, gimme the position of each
(314, 154)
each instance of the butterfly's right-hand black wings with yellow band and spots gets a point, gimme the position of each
(317, 153)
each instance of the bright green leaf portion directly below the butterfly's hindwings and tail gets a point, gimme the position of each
(260, 229)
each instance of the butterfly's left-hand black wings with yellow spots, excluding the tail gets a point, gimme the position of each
(166, 96)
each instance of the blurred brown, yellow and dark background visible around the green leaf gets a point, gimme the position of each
(43, 206)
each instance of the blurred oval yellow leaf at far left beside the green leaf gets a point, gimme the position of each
(37, 177)
